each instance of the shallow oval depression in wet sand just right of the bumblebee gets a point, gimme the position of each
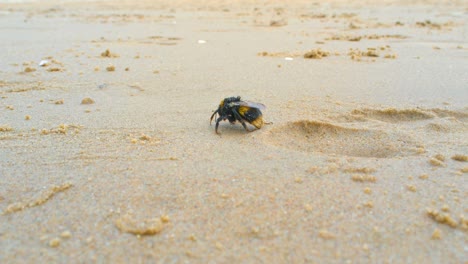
(316, 136)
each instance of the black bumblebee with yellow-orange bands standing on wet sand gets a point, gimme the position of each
(234, 109)
